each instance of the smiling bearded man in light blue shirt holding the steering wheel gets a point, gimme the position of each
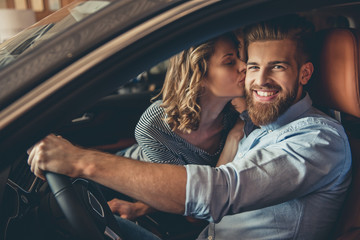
(288, 178)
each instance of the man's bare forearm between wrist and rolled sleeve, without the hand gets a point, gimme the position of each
(147, 182)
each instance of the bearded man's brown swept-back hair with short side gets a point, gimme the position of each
(292, 27)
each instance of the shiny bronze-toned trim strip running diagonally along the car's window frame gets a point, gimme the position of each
(65, 76)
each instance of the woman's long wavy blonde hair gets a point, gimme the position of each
(182, 85)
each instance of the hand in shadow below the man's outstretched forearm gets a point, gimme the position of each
(129, 210)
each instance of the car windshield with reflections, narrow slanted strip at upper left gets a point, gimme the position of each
(35, 35)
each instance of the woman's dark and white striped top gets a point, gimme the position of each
(156, 142)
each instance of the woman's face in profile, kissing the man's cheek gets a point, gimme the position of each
(226, 72)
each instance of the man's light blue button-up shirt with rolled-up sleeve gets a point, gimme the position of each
(288, 181)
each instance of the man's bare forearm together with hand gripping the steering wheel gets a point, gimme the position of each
(162, 186)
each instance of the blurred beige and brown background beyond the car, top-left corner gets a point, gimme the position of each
(16, 15)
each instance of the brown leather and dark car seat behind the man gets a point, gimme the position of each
(336, 86)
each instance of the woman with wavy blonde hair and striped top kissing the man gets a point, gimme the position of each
(191, 123)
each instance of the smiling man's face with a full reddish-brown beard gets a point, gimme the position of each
(272, 79)
